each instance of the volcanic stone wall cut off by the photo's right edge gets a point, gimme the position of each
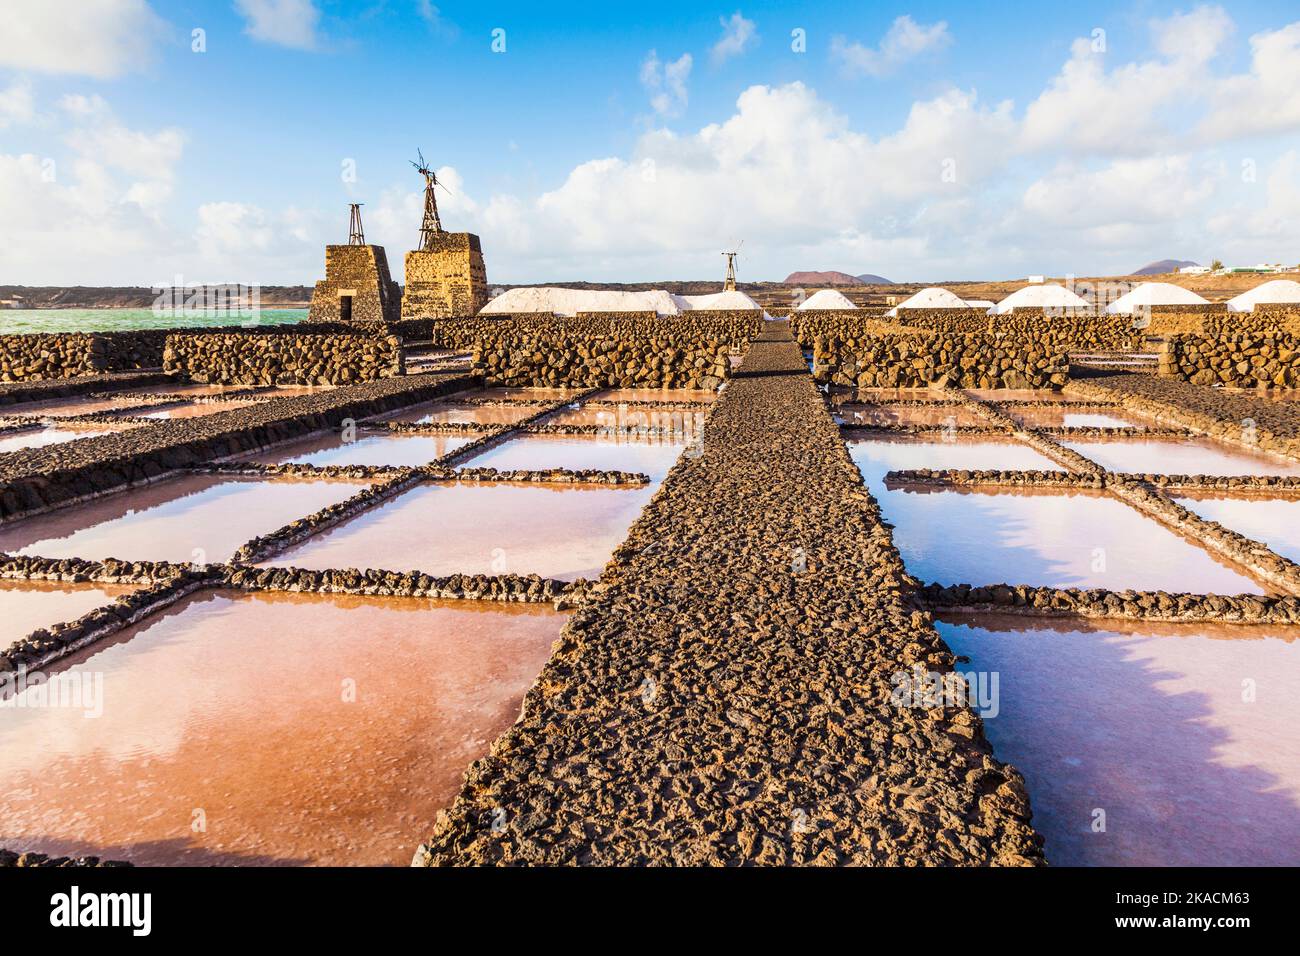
(1242, 361)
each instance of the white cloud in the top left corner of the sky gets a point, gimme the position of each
(94, 38)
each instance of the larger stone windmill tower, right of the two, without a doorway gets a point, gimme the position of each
(447, 279)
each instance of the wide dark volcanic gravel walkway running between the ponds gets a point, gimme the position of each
(723, 697)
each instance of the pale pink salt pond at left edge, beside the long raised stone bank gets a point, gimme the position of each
(198, 518)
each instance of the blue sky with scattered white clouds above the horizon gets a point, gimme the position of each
(636, 141)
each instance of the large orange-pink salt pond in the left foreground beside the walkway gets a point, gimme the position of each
(297, 730)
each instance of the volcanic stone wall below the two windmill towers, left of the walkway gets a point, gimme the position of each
(283, 360)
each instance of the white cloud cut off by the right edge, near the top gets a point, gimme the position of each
(1268, 98)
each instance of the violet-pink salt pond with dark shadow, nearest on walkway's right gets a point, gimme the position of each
(1182, 736)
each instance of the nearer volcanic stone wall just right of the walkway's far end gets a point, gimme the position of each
(939, 361)
